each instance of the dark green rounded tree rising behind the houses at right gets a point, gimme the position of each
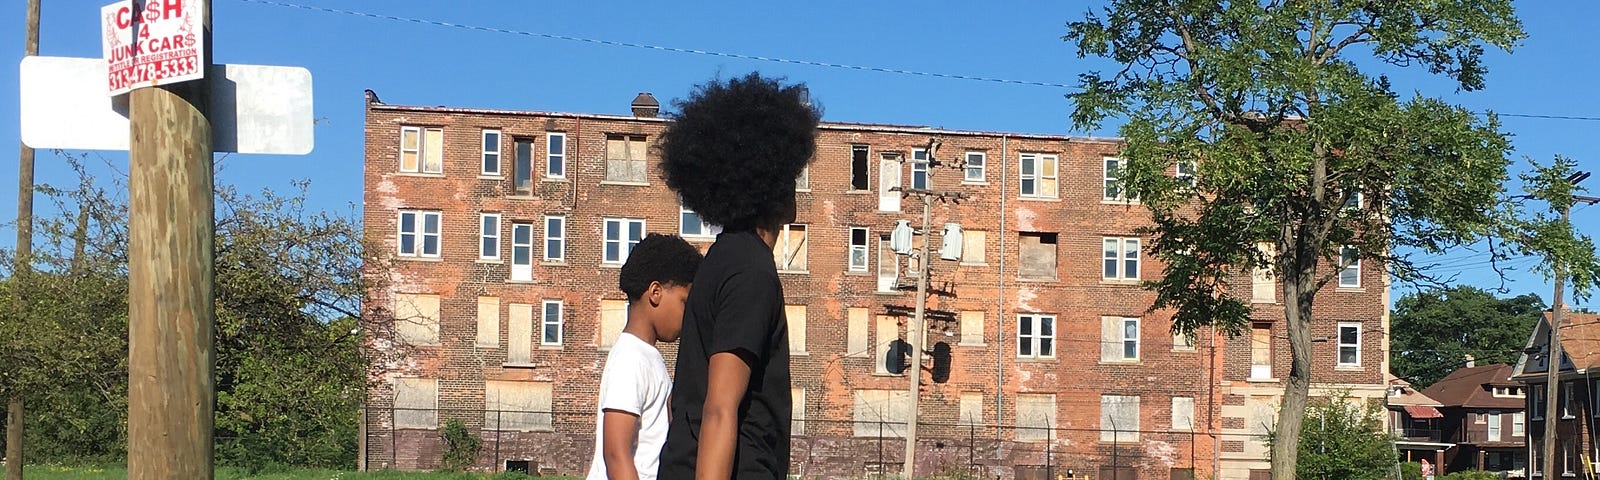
(1434, 330)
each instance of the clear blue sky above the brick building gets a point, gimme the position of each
(430, 65)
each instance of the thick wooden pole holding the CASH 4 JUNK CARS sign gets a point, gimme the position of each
(170, 260)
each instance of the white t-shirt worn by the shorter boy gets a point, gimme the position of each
(636, 382)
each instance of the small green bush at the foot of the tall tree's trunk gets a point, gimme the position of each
(1345, 439)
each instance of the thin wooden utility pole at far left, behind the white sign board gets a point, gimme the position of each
(23, 260)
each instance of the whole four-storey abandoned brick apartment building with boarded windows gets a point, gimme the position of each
(506, 231)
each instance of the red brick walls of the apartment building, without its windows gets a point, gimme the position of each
(828, 372)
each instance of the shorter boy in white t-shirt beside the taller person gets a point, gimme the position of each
(634, 390)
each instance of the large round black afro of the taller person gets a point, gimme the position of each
(735, 150)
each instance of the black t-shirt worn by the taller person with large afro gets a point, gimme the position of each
(737, 306)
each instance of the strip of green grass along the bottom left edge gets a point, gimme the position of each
(58, 473)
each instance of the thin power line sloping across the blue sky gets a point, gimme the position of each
(750, 57)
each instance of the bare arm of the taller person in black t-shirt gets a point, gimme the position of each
(726, 382)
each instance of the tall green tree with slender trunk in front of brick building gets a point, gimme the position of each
(1294, 145)
